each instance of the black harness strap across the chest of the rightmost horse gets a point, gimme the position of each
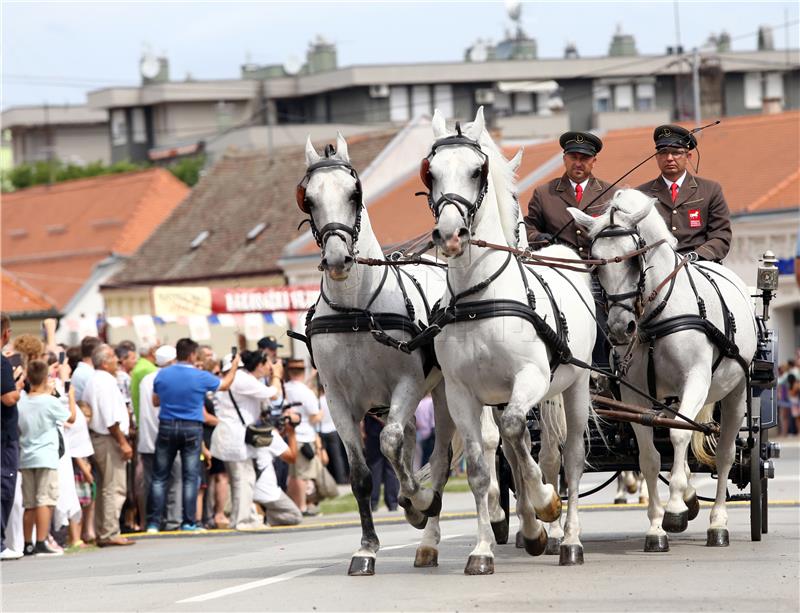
(724, 341)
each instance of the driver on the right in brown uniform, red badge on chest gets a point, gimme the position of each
(693, 208)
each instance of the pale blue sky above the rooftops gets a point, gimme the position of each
(55, 52)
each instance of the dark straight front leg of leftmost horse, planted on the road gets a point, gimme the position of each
(363, 561)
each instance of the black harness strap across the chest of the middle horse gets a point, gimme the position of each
(554, 340)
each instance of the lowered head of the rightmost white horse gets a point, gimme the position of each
(614, 233)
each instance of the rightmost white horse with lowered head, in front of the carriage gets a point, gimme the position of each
(699, 376)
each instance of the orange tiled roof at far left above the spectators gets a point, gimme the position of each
(53, 236)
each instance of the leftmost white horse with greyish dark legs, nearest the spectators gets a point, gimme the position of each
(360, 373)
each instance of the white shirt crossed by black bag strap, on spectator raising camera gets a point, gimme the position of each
(227, 441)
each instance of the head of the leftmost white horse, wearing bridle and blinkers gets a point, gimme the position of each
(330, 194)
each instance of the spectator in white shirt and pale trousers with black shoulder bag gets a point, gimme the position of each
(237, 408)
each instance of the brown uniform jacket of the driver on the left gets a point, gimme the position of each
(547, 211)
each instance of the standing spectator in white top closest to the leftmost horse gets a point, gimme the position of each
(299, 395)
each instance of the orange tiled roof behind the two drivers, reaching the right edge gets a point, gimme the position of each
(754, 158)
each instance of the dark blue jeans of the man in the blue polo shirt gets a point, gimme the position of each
(173, 436)
